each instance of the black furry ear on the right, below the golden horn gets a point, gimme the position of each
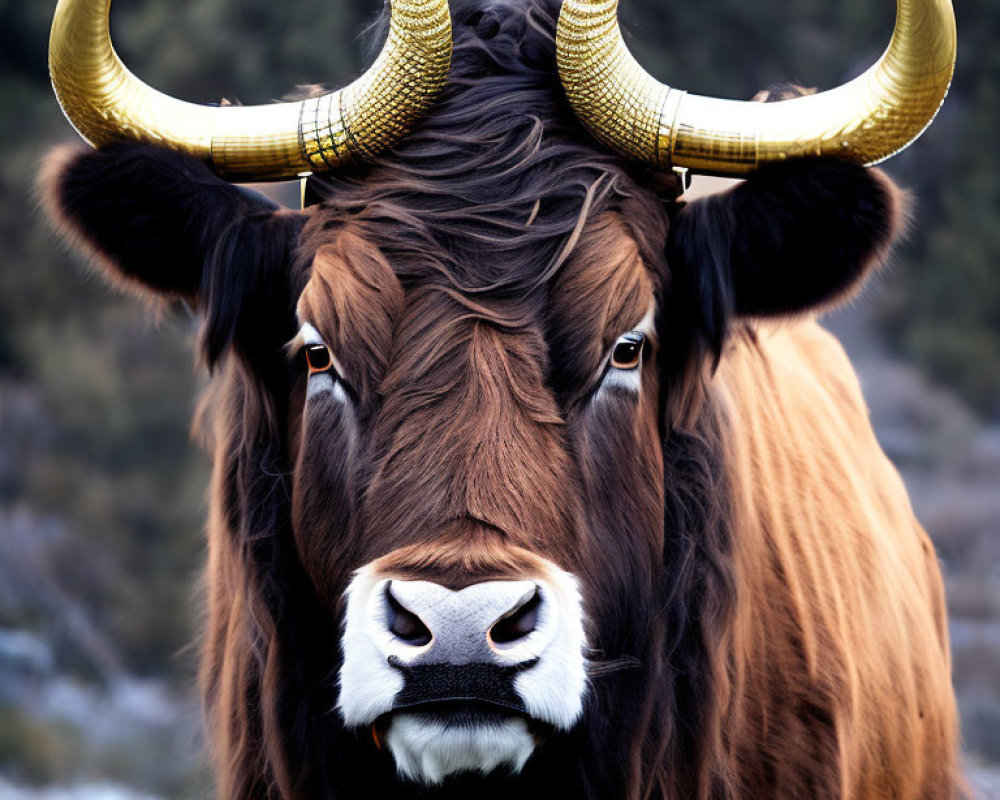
(795, 236)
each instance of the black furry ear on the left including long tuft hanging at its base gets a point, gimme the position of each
(162, 224)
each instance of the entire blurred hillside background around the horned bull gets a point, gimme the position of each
(102, 493)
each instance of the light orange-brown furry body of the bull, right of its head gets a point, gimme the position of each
(834, 582)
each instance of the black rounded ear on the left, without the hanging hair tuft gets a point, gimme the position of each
(149, 217)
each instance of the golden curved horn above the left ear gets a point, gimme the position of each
(105, 102)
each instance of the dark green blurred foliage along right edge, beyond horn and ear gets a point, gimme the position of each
(943, 307)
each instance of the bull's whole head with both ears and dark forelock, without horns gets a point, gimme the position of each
(466, 516)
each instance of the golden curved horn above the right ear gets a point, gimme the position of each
(865, 121)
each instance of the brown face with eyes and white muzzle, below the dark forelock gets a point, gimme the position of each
(443, 490)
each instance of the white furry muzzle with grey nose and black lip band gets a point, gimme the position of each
(466, 680)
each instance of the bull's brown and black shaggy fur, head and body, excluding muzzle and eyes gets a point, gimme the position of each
(764, 613)
